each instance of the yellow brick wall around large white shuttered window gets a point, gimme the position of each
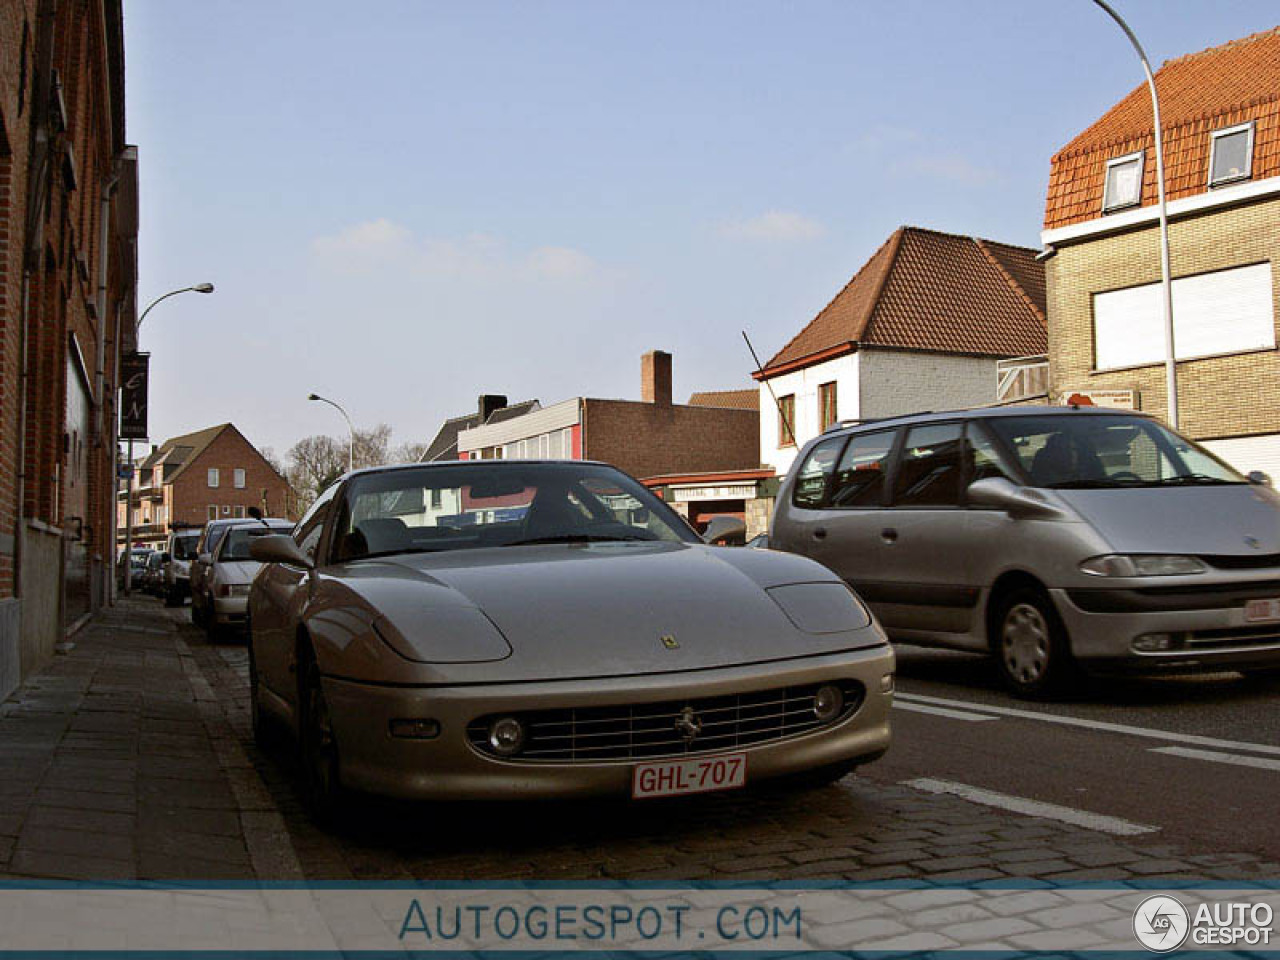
(1210, 391)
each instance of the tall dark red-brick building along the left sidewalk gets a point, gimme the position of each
(68, 231)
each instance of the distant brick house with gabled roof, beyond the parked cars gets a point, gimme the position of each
(212, 474)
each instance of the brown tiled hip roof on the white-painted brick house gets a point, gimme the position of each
(936, 292)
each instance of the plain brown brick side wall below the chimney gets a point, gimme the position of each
(647, 440)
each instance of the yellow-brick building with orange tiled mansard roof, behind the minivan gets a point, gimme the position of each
(1220, 111)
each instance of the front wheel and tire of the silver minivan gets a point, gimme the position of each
(1030, 643)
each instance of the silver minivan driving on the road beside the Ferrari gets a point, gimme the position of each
(1048, 537)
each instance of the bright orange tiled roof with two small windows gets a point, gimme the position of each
(1199, 94)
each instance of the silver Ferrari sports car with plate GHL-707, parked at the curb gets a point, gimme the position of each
(510, 629)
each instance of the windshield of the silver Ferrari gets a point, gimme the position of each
(486, 505)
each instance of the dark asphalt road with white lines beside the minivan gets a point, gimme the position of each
(1195, 760)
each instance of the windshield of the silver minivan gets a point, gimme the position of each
(1108, 451)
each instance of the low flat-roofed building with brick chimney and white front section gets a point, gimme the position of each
(644, 438)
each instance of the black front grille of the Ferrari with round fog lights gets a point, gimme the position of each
(650, 730)
